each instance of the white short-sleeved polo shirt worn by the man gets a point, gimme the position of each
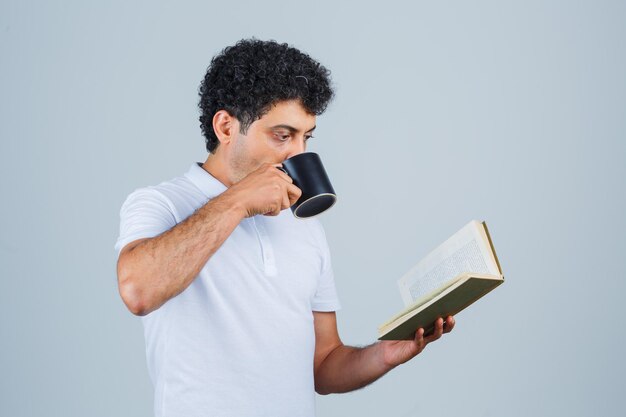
(240, 340)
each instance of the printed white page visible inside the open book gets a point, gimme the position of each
(465, 251)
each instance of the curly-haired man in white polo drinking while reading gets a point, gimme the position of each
(237, 296)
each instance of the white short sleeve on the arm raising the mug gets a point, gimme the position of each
(145, 213)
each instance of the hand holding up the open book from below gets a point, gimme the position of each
(396, 352)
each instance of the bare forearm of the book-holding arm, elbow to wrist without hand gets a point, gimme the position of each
(349, 368)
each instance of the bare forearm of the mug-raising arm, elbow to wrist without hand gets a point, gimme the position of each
(158, 269)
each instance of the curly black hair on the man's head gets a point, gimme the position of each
(246, 79)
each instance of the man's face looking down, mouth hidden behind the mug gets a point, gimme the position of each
(280, 134)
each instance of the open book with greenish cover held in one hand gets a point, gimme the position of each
(454, 275)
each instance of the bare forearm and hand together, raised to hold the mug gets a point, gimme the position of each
(153, 270)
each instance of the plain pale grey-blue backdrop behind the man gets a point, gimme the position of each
(509, 112)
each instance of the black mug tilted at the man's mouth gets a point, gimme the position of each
(308, 174)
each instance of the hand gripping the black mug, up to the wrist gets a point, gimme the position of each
(267, 190)
